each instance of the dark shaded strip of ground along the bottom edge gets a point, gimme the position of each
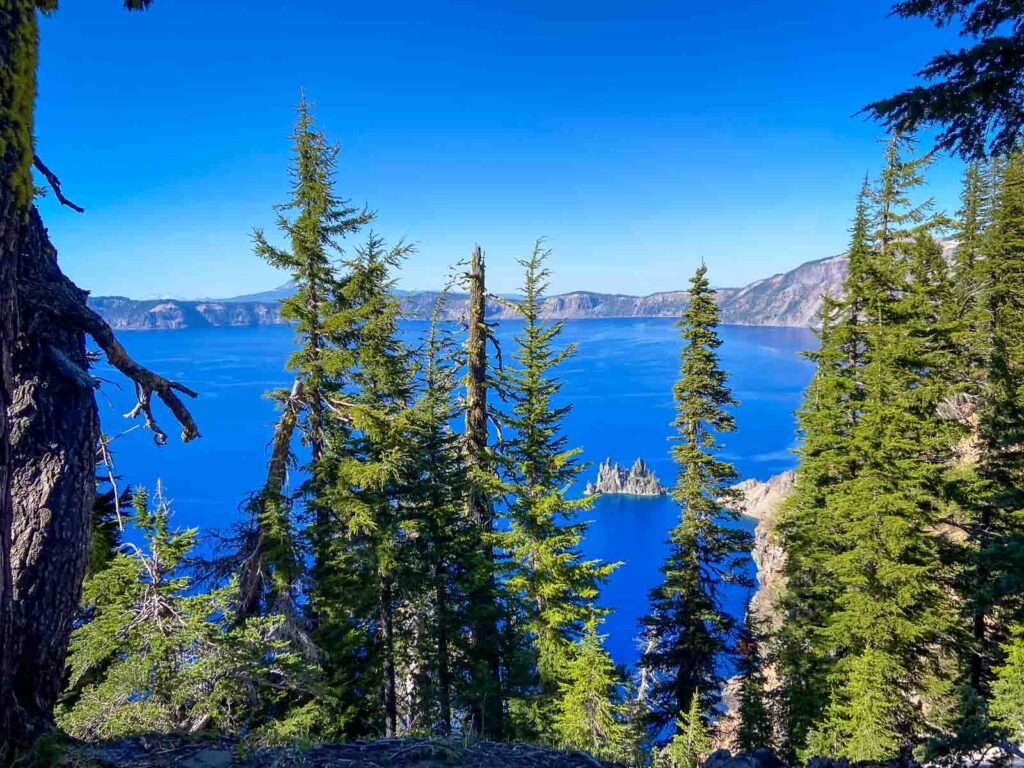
(166, 752)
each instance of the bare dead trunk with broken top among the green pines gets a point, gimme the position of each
(488, 713)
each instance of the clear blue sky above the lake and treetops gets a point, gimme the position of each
(637, 138)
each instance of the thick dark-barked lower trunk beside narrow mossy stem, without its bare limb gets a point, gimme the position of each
(54, 434)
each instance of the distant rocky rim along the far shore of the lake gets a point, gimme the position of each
(792, 298)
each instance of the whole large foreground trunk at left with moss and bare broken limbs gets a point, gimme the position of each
(49, 425)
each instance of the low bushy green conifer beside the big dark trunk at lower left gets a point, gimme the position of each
(154, 657)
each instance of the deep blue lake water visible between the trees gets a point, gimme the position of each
(620, 383)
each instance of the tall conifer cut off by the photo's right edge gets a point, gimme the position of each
(993, 494)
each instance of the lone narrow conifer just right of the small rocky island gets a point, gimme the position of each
(689, 628)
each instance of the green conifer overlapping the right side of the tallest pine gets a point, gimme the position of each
(361, 540)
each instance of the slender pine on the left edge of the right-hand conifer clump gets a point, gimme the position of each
(808, 536)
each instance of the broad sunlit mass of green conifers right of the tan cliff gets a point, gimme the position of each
(870, 613)
